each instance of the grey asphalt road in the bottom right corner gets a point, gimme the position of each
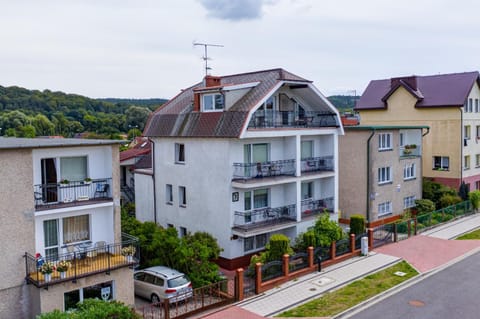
(450, 293)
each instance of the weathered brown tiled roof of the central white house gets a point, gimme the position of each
(177, 118)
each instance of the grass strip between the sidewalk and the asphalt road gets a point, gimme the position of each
(334, 302)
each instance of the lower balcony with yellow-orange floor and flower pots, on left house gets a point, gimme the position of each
(83, 262)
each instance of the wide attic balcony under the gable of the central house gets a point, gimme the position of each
(274, 119)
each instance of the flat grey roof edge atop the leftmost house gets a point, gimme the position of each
(15, 143)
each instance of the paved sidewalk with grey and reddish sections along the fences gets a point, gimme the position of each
(311, 286)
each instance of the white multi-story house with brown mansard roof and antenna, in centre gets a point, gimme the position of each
(243, 157)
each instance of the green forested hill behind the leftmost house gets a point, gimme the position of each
(30, 113)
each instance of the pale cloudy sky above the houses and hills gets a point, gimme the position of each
(144, 48)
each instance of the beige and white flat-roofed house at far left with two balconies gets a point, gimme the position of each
(60, 201)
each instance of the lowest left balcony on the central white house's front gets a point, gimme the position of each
(264, 217)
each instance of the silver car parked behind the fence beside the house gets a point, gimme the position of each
(159, 283)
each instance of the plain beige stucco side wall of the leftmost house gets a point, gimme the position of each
(16, 227)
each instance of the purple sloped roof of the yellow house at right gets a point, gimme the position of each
(443, 90)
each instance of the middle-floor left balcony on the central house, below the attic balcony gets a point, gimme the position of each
(245, 171)
